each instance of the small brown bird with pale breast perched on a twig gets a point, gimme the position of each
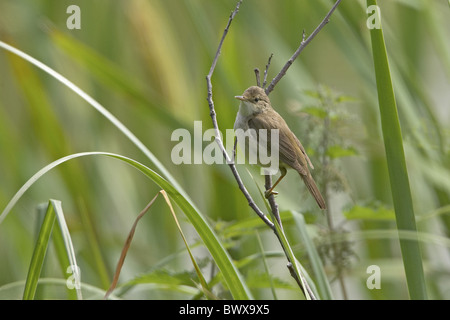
(256, 112)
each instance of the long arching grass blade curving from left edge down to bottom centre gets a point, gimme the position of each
(232, 277)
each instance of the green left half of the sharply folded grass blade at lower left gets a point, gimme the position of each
(39, 252)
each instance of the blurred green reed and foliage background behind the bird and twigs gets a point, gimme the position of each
(146, 62)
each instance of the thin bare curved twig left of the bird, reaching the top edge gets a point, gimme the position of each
(219, 141)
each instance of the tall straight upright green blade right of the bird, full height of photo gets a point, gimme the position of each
(398, 174)
